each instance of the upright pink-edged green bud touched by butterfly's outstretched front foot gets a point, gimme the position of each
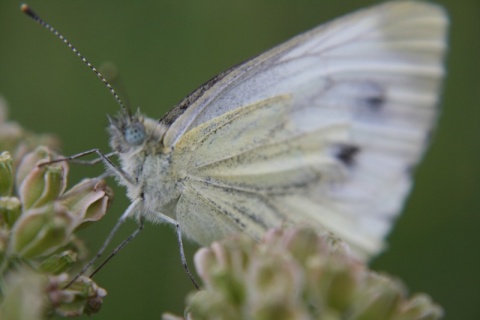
(40, 185)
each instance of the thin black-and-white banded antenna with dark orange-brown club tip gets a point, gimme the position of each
(29, 12)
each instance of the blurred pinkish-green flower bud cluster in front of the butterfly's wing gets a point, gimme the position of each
(296, 274)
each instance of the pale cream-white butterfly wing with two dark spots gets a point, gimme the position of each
(323, 129)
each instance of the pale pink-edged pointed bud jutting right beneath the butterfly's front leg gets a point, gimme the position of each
(87, 201)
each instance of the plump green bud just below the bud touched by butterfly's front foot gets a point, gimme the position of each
(41, 231)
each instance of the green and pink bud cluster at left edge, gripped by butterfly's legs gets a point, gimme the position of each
(39, 252)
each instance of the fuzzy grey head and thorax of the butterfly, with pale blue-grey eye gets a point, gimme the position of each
(143, 157)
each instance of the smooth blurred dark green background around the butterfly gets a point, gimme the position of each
(164, 50)
